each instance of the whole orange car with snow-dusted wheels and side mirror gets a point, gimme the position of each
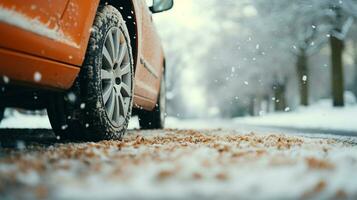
(87, 61)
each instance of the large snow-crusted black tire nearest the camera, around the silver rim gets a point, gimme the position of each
(81, 114)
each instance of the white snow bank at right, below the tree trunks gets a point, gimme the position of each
(318, 116)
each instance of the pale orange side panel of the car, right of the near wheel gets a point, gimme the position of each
(150, 67)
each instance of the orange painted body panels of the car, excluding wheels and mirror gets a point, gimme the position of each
(57, 53)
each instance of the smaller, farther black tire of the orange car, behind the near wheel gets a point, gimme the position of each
(155, 119)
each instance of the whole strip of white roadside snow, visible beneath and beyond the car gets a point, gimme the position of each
(320, 116)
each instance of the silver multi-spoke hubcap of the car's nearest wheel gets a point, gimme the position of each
(116, 76)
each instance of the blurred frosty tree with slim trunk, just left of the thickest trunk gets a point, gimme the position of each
(302, 34)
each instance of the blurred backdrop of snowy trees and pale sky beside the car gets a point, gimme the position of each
(254, 57)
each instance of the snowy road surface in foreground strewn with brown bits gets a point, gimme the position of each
(183, 164)
